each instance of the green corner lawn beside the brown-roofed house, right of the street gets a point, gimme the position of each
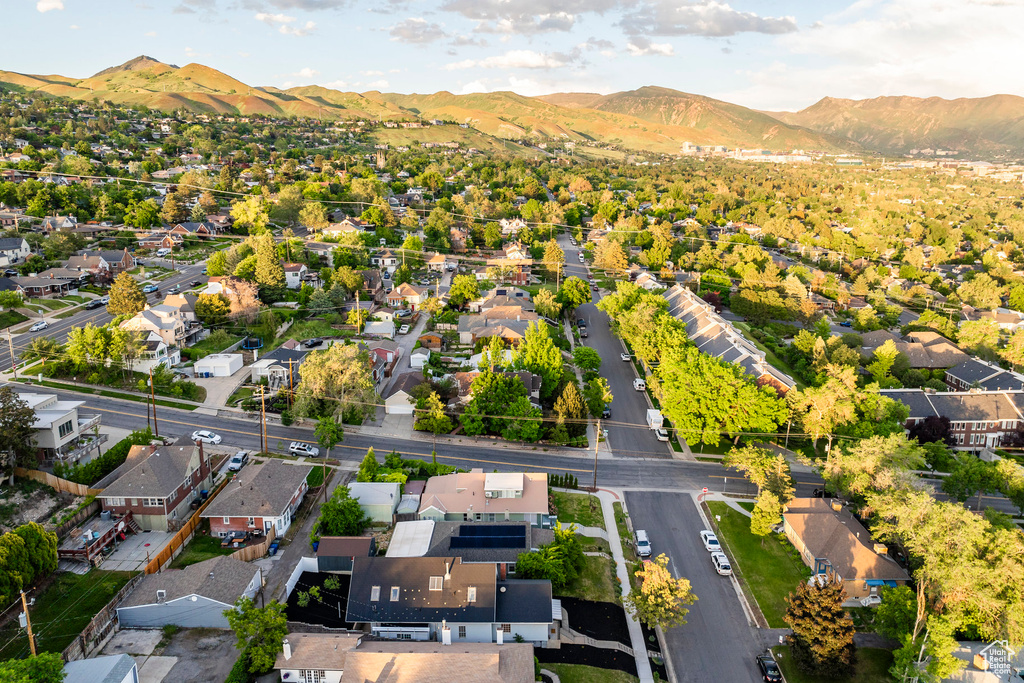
(769, 569)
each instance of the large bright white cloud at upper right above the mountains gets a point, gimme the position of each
(894, 48)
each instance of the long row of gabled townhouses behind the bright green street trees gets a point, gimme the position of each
(717, 337)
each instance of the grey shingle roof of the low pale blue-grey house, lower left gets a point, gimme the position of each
(223, 579)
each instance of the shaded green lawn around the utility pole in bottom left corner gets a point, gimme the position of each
(62, 611)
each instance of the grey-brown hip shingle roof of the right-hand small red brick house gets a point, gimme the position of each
(260, 491)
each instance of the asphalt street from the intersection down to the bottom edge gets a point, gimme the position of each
(717, 644)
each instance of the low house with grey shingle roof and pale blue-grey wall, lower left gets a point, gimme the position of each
(194, 597)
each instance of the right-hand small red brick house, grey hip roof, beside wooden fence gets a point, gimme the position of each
(261, 497)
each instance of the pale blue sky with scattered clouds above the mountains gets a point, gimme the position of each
(772, 55)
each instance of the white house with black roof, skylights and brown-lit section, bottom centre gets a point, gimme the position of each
(420, 599)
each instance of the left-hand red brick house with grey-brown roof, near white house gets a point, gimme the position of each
(158, 484)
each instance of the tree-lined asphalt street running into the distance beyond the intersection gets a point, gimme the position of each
(628, 432)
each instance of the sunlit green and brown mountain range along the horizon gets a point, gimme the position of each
(649, 119)
